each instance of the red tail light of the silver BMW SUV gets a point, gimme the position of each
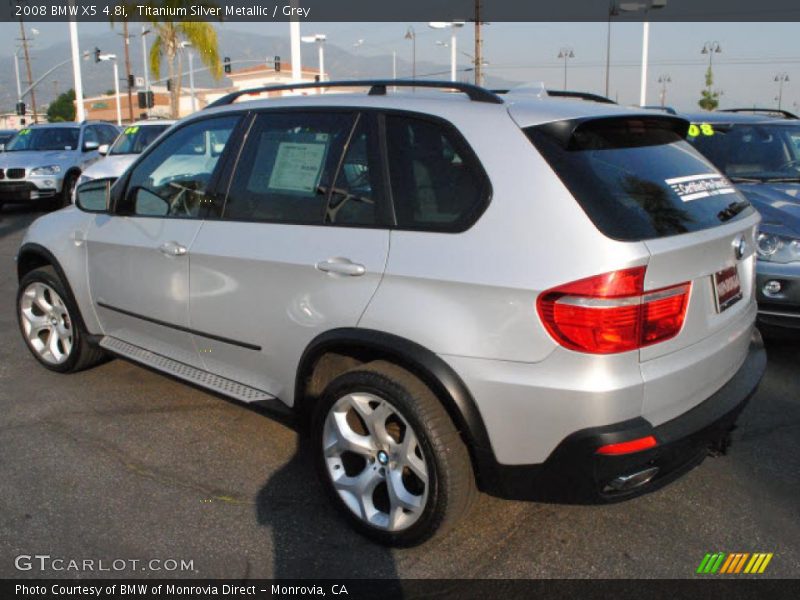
(611, 313)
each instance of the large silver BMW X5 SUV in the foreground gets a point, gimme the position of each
(541, 299)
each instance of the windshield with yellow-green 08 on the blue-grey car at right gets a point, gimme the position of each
(762, 151)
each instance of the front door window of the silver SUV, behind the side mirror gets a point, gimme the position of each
(173, 178)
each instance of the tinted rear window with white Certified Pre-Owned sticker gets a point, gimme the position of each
(637, 179)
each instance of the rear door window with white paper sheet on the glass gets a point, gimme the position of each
(306, 168)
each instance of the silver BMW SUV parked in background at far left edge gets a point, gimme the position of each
(44, 162)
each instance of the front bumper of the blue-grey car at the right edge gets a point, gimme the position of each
(781, 309)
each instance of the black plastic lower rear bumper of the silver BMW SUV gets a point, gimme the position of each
(575, 473)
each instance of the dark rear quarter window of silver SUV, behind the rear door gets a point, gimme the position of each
(436, 185)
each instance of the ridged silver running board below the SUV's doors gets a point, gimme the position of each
(221, 385)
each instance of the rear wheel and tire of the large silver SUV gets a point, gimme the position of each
(390, 456)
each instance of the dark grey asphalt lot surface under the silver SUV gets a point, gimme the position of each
(122, 463)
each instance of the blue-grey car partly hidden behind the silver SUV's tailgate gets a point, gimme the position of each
(761, 155)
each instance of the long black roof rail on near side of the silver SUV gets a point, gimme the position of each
(377, 88)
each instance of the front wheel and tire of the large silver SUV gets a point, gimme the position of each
(51, 326)
